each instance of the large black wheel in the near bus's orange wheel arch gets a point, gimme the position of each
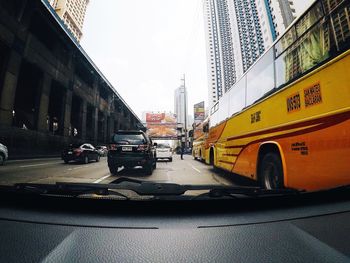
(271, 171)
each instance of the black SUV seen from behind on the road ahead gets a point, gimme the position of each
(130, 149)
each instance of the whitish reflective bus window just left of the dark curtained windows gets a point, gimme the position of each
(260, 78)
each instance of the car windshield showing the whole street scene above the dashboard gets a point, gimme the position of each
(240, 94)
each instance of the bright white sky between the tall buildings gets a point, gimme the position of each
(145, 47)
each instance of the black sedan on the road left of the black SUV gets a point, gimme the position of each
(81, 153)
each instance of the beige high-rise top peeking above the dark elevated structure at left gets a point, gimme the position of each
(72, 12)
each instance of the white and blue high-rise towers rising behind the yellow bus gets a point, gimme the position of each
(237, 33)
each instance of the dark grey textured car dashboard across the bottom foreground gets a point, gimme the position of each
(52, 229)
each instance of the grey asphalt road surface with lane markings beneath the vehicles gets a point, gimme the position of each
(51, 170)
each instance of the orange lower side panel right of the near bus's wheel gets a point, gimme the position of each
(327, 149)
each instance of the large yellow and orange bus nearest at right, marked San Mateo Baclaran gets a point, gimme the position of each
(286, 122)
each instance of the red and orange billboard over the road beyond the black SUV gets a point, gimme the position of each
(161, 125)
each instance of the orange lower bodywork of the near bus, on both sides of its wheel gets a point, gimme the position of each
(326, 146)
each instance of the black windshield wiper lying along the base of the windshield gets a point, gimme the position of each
(149, 188)
